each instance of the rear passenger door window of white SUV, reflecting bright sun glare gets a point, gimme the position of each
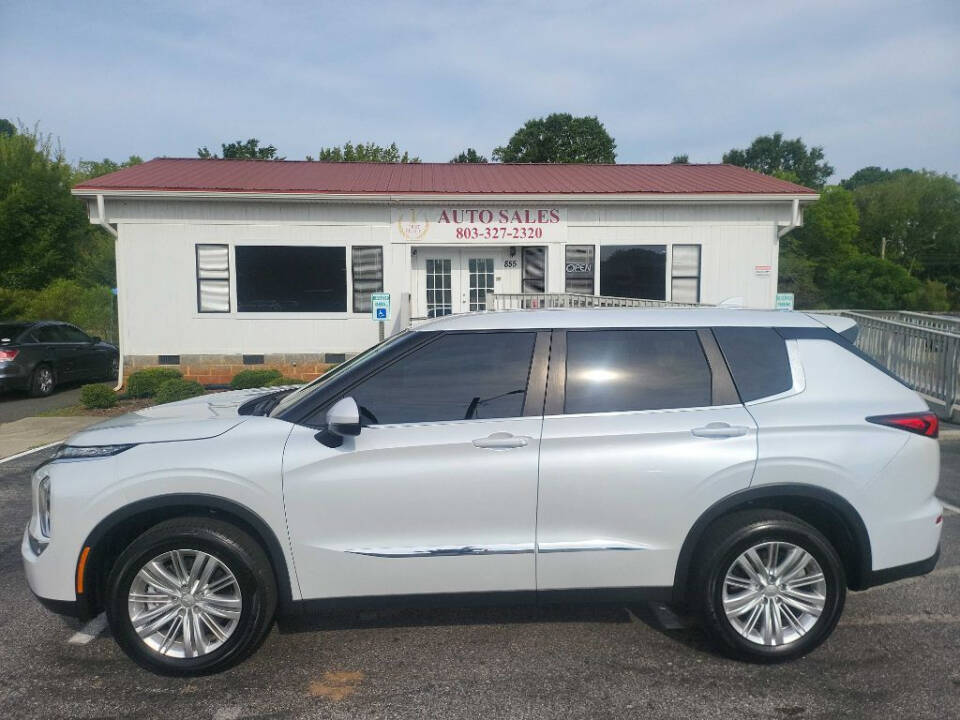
(614, 370)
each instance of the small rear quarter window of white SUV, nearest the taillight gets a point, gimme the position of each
(758, 361)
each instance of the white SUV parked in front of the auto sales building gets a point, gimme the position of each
(750, 465)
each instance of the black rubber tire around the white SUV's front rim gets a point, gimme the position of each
(231, 546)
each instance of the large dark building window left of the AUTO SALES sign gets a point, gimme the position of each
(279, 278)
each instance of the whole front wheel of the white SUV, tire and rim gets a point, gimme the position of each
(191, 597)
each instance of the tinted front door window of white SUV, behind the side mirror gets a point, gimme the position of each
(458, 377)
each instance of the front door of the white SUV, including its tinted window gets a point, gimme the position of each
(438, 492)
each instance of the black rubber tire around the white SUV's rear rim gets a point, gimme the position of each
(724, 542)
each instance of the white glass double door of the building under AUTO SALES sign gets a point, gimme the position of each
(457, 280)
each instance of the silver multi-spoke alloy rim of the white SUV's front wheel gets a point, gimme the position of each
(184, 603)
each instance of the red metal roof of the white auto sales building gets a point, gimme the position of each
(264, 176)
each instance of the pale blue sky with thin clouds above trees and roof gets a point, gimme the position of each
(874, 82)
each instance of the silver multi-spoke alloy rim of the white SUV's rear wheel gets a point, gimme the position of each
(774, 593)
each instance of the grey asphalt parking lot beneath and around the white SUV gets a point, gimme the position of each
(894, 654)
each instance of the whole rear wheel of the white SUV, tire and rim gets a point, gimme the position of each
(769, 587)
